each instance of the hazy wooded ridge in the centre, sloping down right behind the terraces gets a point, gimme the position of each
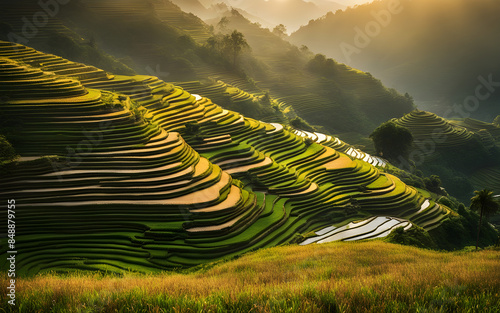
(319, 90)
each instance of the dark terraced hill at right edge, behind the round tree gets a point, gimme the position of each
(464, 153)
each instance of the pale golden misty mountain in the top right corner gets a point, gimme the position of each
(435, 50)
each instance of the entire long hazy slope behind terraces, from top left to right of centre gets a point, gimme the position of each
(279, 80)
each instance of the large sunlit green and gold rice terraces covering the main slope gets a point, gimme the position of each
(128, 186)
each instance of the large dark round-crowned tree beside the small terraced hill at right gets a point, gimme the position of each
(392, 141)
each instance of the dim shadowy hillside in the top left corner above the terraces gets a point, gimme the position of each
(159, 45)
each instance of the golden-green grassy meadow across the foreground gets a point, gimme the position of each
(370, 276)
